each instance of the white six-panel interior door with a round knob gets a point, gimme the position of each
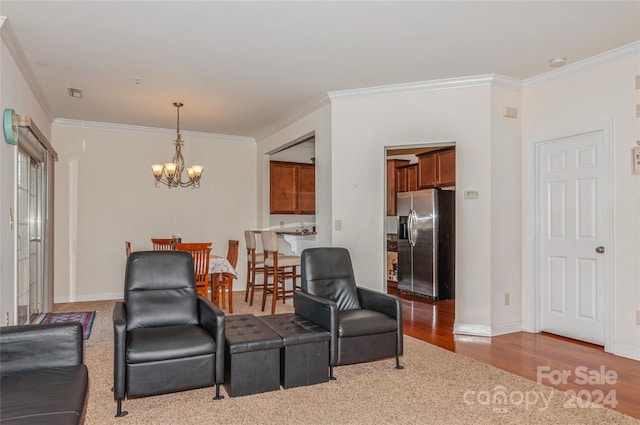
(572, 251)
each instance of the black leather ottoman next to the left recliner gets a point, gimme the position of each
(252, 356)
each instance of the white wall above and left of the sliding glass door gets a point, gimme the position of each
(14, 94)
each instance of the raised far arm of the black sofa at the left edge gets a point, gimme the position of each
(30, 347)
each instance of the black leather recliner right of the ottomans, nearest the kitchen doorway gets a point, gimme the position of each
(364, 325)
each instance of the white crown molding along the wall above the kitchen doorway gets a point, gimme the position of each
(421, 86)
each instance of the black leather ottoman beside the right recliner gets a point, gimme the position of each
(304, 358)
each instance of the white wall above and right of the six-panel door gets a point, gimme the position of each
(589, 95)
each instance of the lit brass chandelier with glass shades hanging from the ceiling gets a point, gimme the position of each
(170, 173)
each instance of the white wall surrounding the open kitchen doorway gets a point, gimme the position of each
(364, 126)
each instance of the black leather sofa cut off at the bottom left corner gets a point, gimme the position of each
(44, 380)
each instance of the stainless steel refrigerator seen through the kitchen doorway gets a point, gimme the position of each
(426, 243)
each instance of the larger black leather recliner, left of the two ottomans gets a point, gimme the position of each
(166, 337)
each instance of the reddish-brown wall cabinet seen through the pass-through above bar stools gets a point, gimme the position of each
(292, 188)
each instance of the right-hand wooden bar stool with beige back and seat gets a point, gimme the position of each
(284, 267)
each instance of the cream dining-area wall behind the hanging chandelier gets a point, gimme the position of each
(113, 199)
